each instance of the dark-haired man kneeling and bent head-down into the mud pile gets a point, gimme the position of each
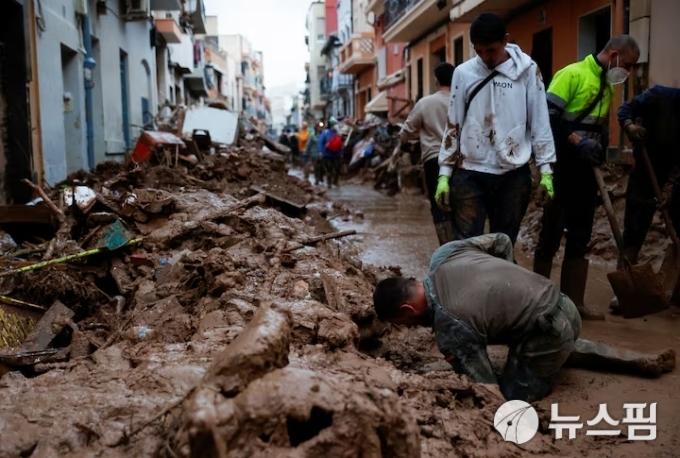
(474, 296)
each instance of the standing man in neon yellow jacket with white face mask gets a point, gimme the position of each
(579, 98)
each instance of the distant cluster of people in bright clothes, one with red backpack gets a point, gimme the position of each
(318, 150)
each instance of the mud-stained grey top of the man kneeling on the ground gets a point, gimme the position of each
(477, 296)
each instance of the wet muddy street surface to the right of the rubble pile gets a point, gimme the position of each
(398, 231)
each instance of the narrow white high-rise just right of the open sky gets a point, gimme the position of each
(318, 68)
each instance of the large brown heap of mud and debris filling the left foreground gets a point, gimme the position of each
(209, 308)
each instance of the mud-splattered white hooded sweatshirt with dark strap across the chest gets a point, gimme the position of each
(506, 121)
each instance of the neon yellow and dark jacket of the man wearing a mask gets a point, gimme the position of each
(572, 90)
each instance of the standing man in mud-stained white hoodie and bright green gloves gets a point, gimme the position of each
(498, 116)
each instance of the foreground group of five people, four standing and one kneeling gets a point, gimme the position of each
(478, 132)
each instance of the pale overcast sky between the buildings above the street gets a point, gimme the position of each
(275, 27)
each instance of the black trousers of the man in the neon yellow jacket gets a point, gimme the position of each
(572, 210)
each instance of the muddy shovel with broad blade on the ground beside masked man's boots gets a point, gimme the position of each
(638, 289)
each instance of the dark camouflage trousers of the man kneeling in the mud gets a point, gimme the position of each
(539, 355)
